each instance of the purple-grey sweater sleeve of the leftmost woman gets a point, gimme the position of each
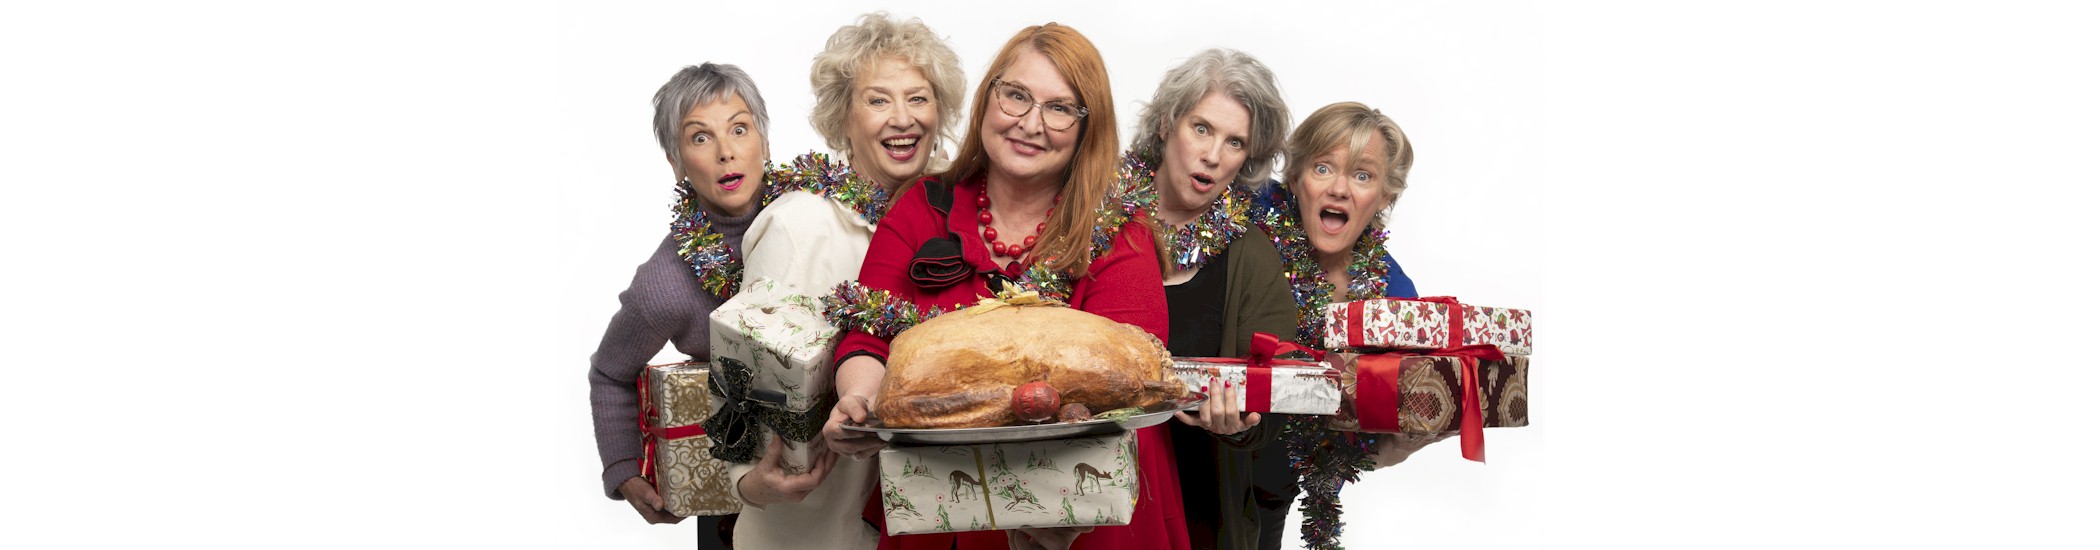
(629, 343)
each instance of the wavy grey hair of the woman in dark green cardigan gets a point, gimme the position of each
(1242, 79)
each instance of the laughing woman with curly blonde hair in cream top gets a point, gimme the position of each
(887, 96)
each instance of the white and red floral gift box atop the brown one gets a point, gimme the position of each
(1425, 324)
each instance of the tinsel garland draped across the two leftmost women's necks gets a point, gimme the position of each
(717, 266)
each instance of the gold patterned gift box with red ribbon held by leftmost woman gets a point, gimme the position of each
(675, 448)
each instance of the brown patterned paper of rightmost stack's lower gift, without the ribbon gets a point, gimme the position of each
(1429, 394)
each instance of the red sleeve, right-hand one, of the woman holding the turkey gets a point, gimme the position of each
(1127, 284)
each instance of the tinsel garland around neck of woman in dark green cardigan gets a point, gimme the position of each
(1190, 247)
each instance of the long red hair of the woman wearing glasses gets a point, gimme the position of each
(1068, 236)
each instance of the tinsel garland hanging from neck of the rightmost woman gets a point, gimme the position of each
(1324, 459)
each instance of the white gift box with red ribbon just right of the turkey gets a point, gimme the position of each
(1290, 387)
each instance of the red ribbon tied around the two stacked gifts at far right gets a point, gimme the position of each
(1385, 373)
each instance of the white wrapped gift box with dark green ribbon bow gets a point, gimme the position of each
(780, 339)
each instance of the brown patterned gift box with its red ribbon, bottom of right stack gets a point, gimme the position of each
(1427, 394)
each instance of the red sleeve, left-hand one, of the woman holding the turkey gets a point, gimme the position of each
(889, 266)
